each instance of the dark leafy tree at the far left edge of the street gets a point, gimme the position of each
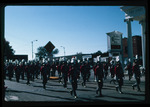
(8, 51)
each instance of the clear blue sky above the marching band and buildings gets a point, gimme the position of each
(77, 28)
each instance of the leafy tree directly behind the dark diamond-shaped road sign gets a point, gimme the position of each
(42, 52)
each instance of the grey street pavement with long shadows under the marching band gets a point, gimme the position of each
(55, 92)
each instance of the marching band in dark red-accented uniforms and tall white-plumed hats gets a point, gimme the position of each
(72, 71)
